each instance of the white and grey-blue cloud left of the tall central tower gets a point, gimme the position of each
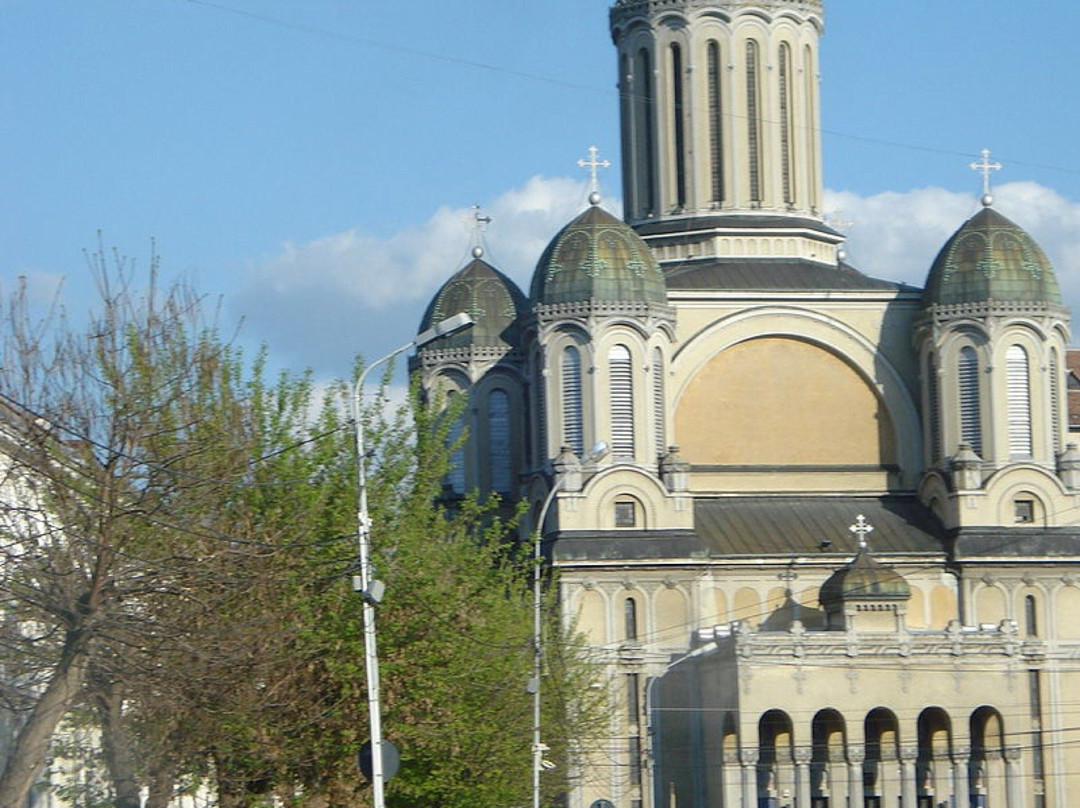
(319, 304)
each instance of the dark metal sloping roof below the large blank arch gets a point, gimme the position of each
(787, 526)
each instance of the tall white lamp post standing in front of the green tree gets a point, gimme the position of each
(369, 589)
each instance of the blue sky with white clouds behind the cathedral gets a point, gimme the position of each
(313, 160)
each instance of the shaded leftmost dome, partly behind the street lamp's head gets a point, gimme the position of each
(490, 298)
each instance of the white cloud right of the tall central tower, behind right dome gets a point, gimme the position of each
(897, 236)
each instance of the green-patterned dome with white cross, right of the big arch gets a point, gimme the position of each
(991, 259)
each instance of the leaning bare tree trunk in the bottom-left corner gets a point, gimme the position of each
(32, 743)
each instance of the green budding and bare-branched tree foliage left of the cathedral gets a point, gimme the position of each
(177, 545)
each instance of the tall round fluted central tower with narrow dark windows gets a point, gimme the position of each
(721, 125)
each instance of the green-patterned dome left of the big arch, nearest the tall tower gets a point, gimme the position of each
(598, 258)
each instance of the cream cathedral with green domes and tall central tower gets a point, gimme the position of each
(818, 530)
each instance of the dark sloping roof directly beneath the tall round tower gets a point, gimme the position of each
(771, 275)
